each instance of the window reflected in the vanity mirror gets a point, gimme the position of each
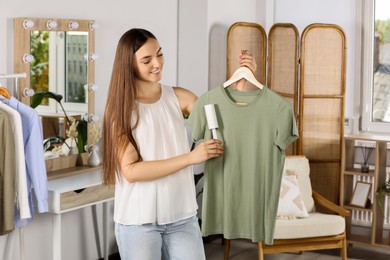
(57, 68)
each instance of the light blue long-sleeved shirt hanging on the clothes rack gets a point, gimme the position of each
(34, 158)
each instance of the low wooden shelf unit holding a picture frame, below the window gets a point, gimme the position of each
(377, 176)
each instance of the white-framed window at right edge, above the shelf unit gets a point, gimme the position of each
(376, 66)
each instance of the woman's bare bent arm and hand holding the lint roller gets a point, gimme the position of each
(135, 171)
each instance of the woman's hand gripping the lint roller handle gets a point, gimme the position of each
(206, 150)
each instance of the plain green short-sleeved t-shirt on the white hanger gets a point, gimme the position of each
(241, 187)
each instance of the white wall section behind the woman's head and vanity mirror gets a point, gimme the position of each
(114, 17)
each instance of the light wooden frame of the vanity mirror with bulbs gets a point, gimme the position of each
(22, 46)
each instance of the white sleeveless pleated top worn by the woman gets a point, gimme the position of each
(160, 134)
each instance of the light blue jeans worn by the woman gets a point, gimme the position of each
(181, 240)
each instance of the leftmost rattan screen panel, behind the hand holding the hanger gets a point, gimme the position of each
(247, 36)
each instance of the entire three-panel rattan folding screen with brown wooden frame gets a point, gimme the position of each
(316, 89)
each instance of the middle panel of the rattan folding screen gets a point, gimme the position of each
(282, 67)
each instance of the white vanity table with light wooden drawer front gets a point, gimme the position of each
(72, 189)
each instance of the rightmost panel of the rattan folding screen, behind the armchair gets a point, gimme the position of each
(321, 105)
